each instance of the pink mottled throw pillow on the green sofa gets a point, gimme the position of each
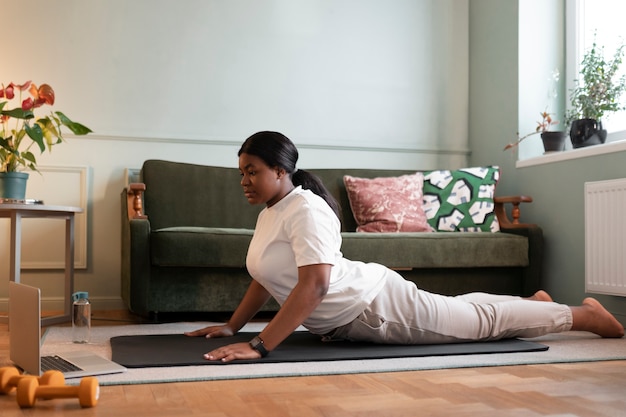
(387, 204)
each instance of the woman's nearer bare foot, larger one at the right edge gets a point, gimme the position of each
(591, 316)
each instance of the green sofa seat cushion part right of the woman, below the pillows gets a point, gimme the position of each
(437, 250)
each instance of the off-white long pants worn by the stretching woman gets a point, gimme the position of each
(404, 314)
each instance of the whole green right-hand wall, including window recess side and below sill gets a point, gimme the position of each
(499, 105)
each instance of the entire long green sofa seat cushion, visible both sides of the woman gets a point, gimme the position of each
(223, 247)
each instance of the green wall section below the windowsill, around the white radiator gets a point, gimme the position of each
(558, 190)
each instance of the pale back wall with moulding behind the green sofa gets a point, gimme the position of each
(355, 83)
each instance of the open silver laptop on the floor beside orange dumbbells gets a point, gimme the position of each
(25, 341)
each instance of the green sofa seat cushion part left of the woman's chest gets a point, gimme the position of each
(200, 246)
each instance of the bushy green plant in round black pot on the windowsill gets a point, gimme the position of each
(598, 93)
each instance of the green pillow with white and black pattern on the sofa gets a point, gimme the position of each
(461, 200)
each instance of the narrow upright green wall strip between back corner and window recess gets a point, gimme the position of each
(493, 75)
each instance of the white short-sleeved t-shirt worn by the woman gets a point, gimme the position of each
(299, 230)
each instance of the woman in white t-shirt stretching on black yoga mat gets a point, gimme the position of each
(295, 257)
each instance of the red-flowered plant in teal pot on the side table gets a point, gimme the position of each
(21, 133)
